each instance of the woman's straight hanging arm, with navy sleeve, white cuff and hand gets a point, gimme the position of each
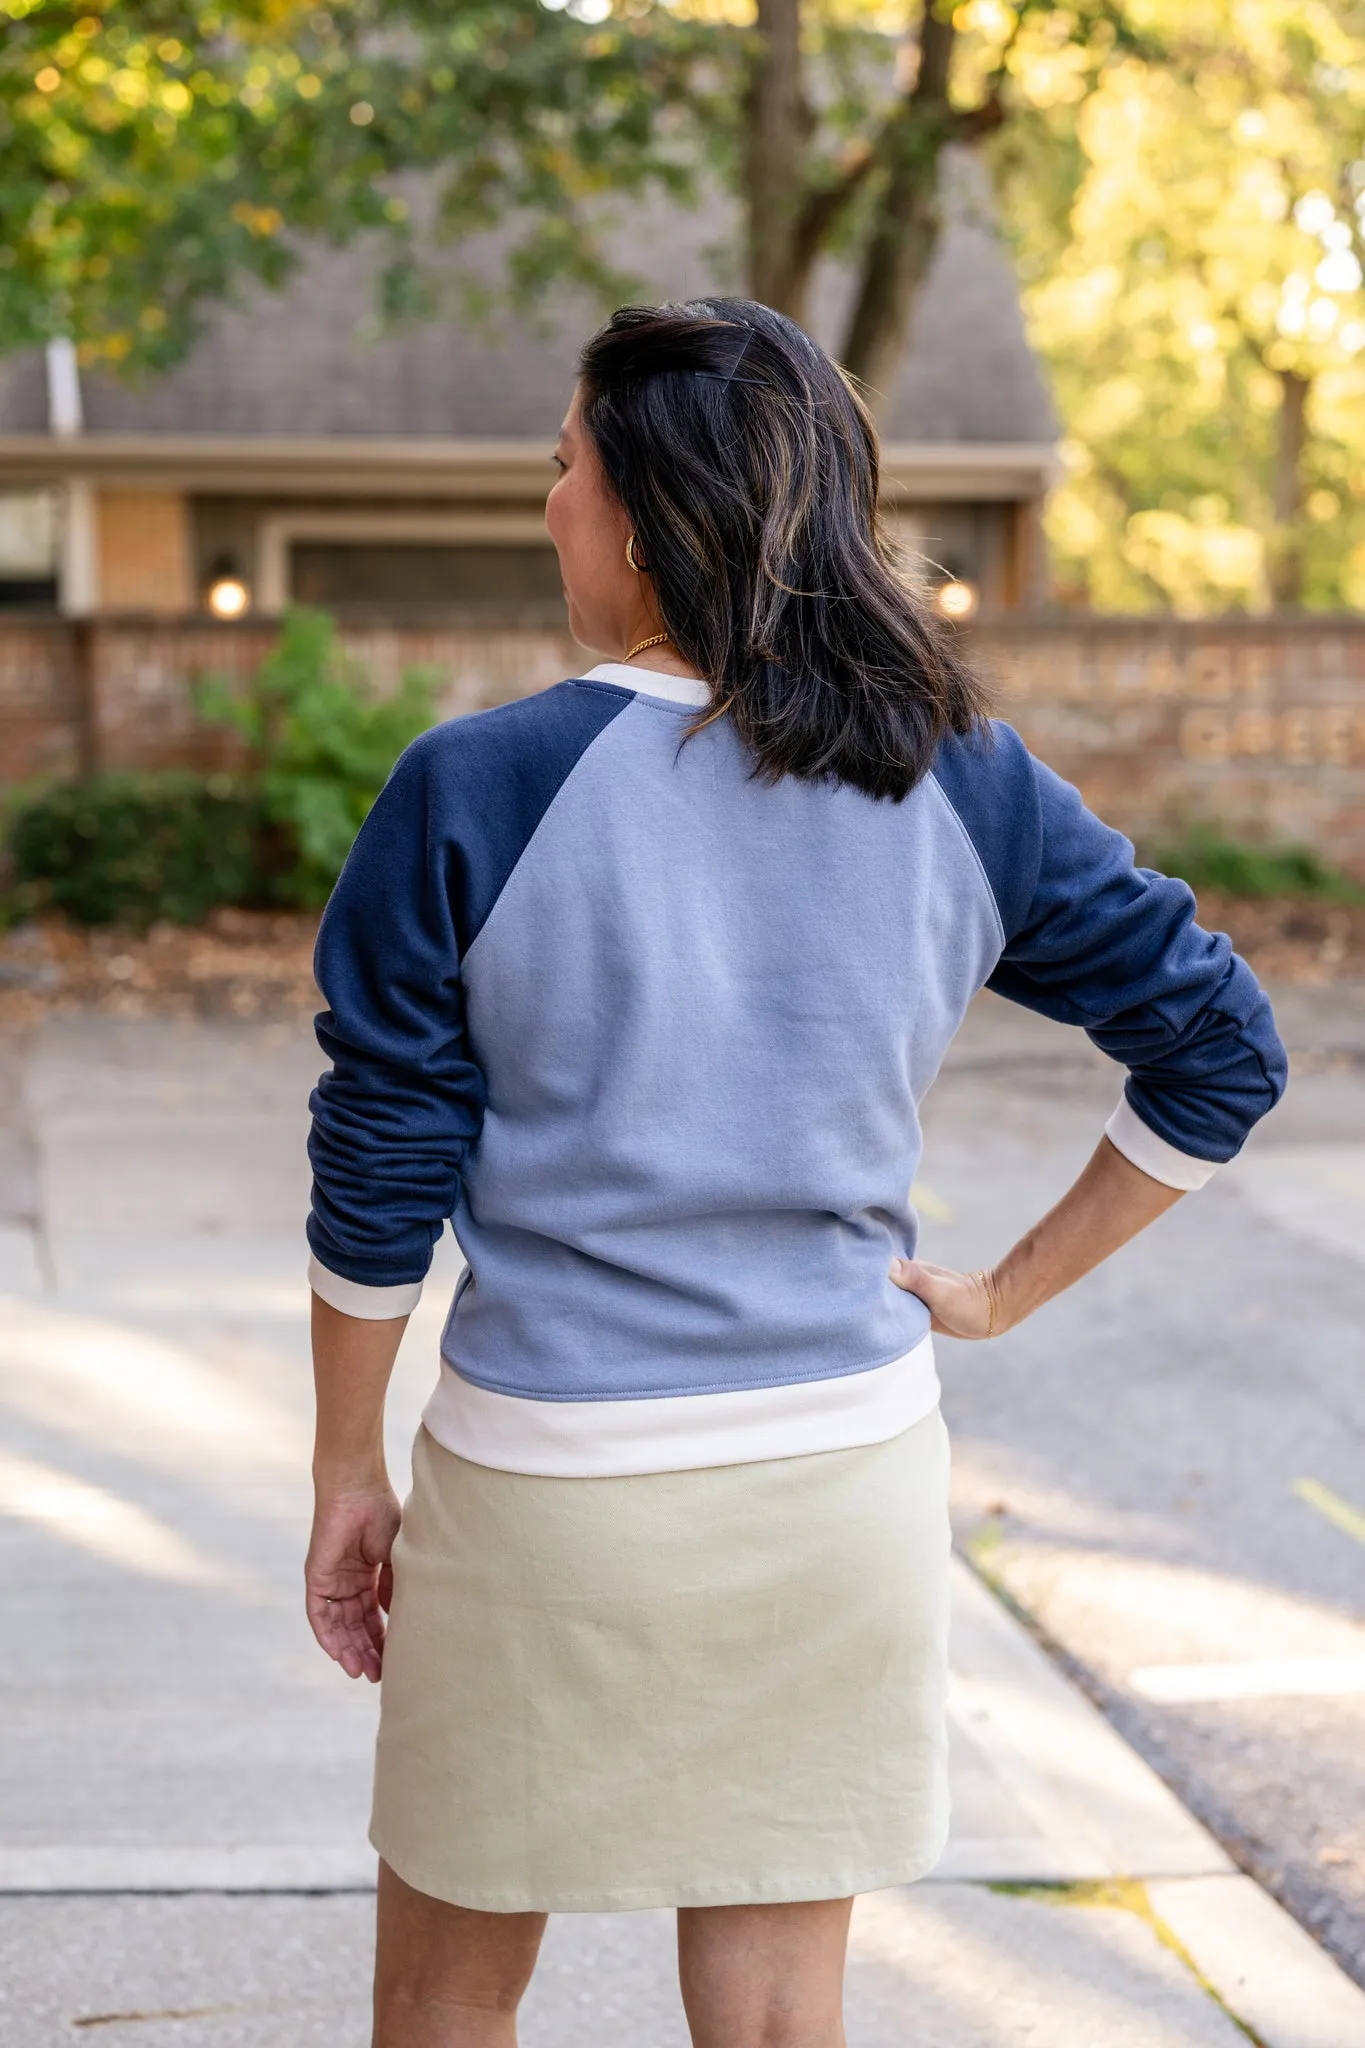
(402, 1109)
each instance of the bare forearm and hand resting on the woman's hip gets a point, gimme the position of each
(1108, 1205)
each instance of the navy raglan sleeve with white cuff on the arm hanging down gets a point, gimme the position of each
(402, 1105)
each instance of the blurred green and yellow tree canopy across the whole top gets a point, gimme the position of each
(1182, 179)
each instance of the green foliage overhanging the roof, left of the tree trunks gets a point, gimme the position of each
(157, 155)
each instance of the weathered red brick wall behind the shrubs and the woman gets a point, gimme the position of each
(1256, 726)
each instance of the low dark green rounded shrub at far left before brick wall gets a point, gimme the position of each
(130, 849)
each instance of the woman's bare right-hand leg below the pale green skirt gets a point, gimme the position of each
(764, 1977)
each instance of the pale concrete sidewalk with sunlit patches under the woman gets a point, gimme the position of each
(183, 1781)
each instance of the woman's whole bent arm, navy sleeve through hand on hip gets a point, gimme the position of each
(1096, 941)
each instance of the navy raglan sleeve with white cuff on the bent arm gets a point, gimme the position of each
(1094, 939)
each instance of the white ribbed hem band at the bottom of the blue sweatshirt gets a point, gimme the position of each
(682, 1433)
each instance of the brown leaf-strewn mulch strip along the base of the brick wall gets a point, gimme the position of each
(261, 964)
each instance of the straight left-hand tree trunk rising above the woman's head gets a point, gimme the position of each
(779, 128)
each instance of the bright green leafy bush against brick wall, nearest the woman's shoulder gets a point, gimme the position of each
(322, 746)
